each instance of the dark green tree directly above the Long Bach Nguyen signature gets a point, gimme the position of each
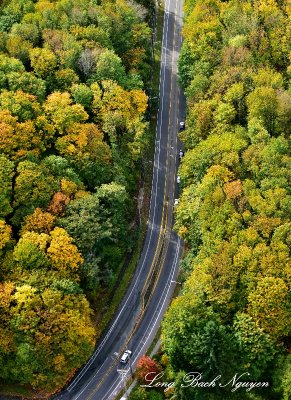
(193, 337)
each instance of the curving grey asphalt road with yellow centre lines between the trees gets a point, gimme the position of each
(140, 313)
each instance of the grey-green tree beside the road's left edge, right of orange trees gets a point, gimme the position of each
(104, 241)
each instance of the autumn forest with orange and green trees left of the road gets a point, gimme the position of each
(73, 129)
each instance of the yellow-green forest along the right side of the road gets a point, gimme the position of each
(233, 315)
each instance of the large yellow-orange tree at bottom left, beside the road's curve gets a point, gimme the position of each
(39, 322)
